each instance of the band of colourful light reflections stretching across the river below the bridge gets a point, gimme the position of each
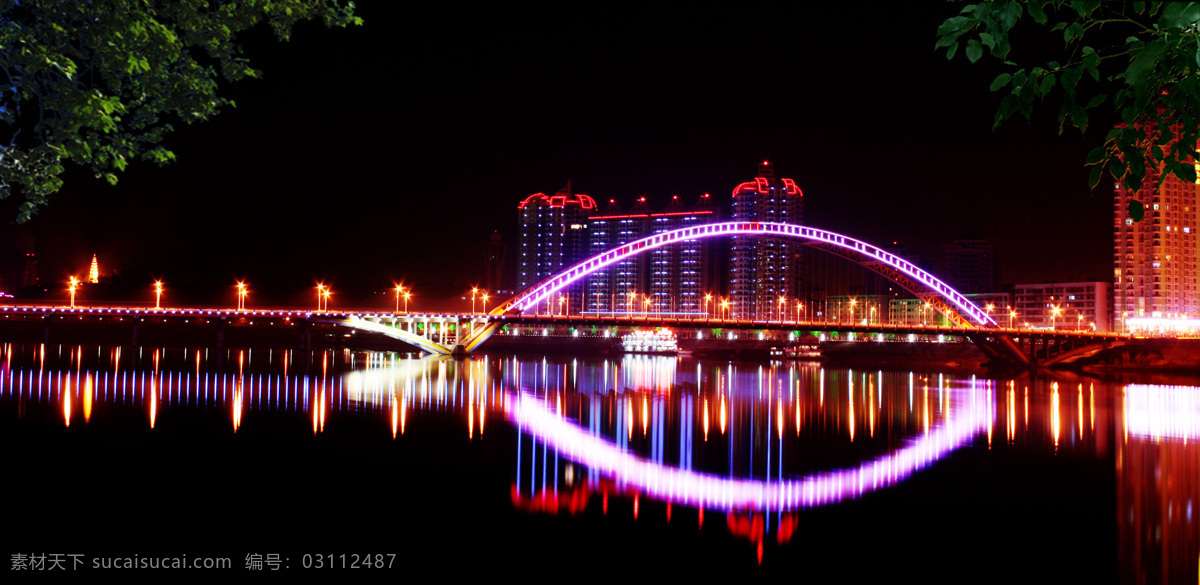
(658, 419)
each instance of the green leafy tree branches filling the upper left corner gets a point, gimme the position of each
(100, 83)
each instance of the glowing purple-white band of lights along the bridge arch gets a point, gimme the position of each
(532, 297)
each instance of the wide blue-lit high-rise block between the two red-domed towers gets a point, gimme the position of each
(674, 279)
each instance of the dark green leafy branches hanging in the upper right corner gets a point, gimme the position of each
(1139, 59)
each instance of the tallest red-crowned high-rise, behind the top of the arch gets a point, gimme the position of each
(763, 269)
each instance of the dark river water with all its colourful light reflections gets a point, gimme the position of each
(368, 463)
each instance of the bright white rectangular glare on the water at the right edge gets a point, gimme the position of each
(1162, 412)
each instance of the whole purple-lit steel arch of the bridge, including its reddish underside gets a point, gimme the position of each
(950, 303)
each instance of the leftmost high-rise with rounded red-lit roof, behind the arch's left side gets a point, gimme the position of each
(553, 237)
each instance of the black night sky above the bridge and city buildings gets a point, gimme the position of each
(392, 152)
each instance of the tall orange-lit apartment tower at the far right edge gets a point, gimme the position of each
(1155, 260)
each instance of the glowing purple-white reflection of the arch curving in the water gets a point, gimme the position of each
(971, 415)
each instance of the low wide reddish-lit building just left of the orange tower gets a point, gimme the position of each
(1081, 306)
